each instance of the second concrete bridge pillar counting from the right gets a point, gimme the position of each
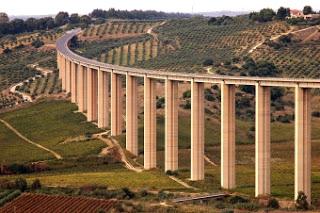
(262, 152)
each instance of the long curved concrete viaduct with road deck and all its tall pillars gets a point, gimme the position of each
(88, 82)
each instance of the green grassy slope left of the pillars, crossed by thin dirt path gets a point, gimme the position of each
(51, 122)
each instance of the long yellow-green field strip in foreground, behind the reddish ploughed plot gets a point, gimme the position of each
(113, 177)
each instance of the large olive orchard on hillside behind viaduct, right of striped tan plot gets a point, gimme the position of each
(200, 41)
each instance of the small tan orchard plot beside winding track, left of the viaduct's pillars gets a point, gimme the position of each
(42, 85)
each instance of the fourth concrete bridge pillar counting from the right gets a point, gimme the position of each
(197, 131)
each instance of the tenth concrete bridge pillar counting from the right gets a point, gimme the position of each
(92, 87)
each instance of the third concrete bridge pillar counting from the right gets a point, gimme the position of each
(228, 136)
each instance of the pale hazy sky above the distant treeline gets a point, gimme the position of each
(41, 7)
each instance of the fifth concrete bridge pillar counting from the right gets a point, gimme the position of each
(171, 125)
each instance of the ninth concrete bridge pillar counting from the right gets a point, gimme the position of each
(103, 99)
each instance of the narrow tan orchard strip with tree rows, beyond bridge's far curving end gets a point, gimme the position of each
(118, 28)
